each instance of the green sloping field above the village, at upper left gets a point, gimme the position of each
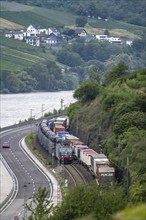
(24, 15)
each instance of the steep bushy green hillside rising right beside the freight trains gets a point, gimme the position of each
(116, 122)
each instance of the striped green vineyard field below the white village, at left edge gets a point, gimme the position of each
(15, 55)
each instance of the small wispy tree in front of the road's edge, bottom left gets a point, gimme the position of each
(40, 207)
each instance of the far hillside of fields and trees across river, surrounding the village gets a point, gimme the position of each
(73, 57)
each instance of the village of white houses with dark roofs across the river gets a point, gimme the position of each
(47, 37)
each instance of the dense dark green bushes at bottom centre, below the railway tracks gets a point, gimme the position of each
(90, 199)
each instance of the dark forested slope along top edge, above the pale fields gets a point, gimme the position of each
(132, 12)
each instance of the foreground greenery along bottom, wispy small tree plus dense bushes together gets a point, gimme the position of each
(81, 201)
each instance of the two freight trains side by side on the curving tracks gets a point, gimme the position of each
(54, 136)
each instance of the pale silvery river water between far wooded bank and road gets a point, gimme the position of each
(18, 107)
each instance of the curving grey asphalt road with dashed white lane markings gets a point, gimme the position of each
(28, 175)
